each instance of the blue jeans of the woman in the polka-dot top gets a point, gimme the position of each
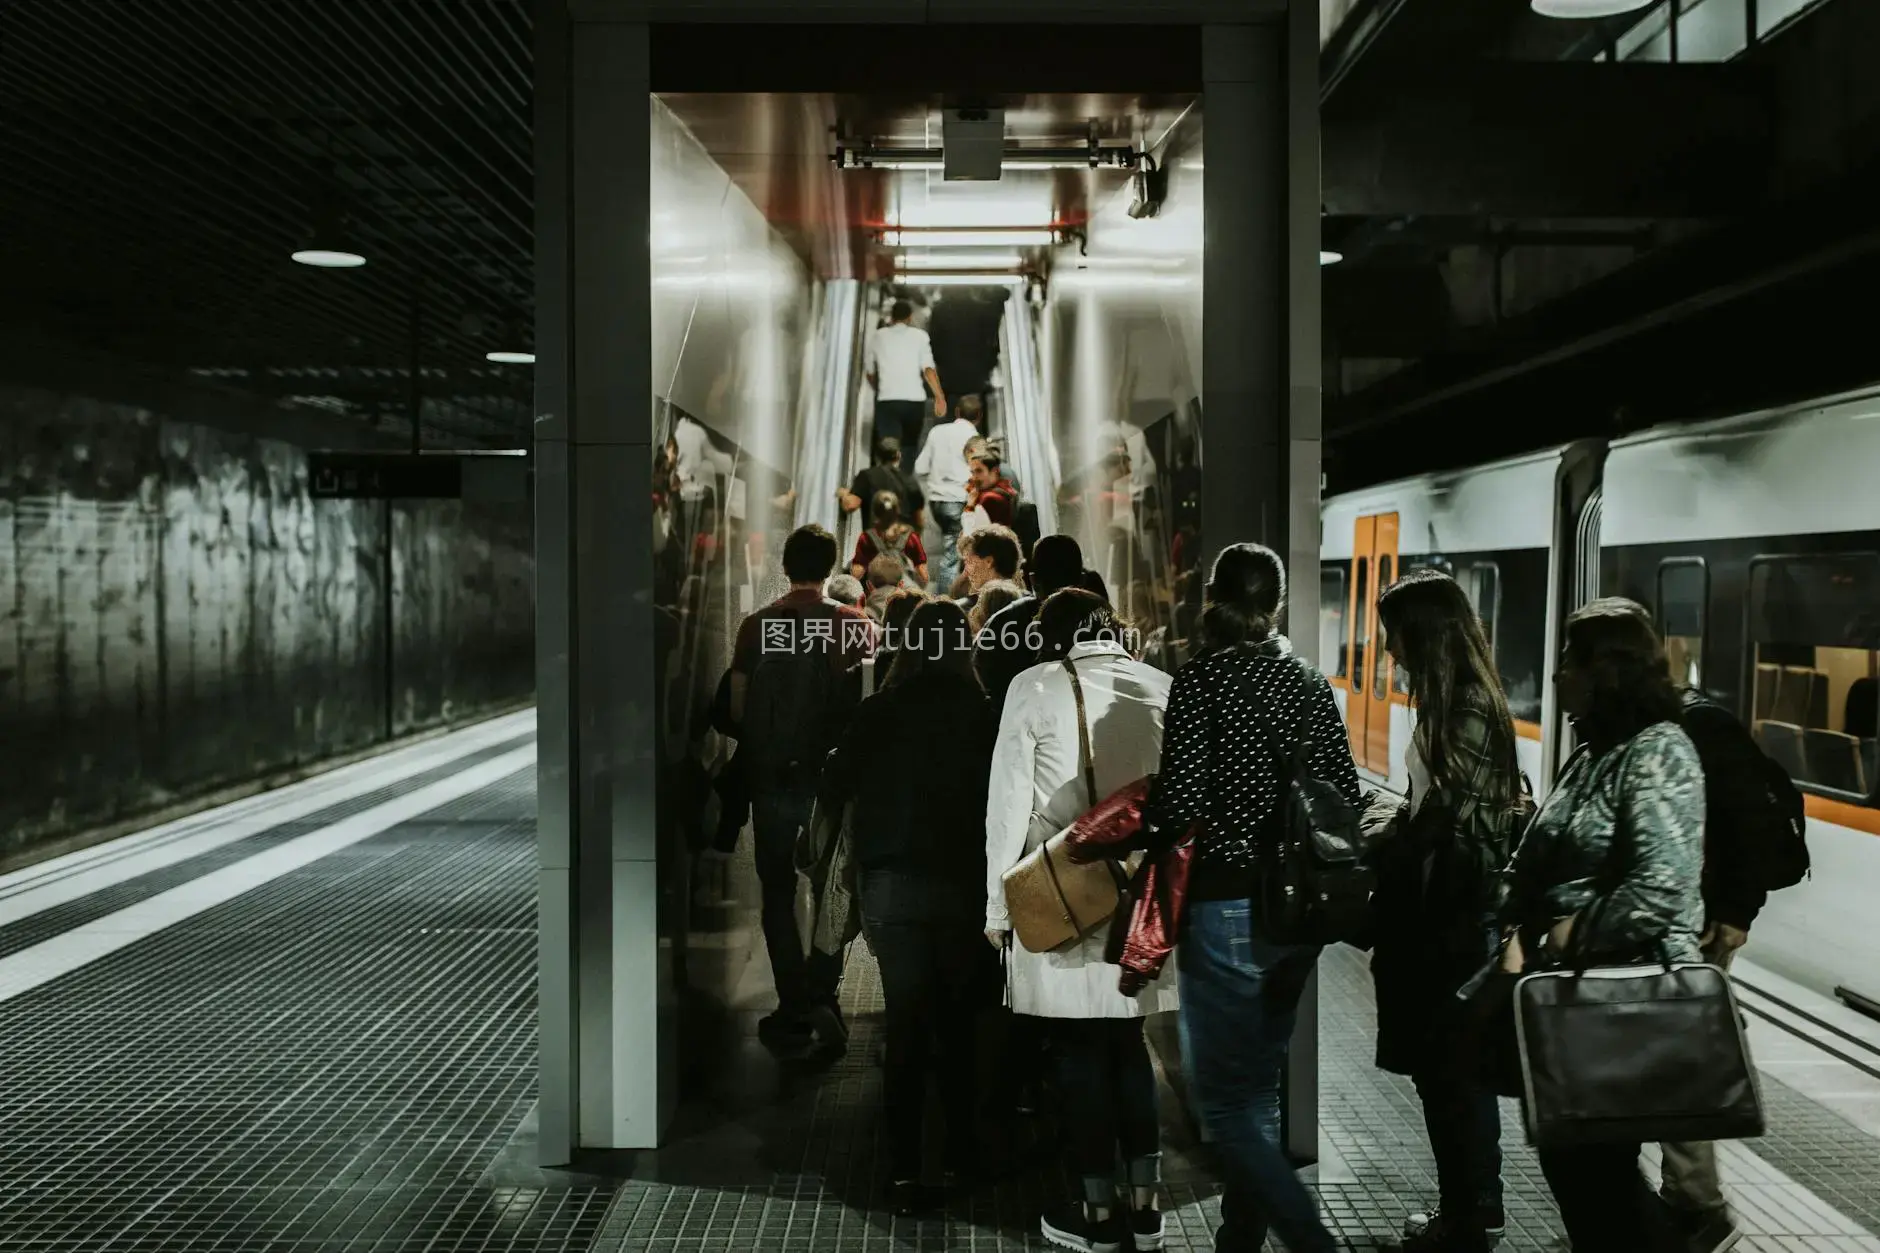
(1238, 1004)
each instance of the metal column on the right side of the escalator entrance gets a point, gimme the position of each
(1261, 353)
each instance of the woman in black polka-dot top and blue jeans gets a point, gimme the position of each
(1232, 710)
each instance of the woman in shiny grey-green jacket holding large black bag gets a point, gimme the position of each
(1610, 872)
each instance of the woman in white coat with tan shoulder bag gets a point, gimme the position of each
(1095, 1032)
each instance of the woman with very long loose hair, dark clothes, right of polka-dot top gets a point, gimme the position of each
(1435, 898)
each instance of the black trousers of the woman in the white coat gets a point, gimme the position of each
(1106, 1090)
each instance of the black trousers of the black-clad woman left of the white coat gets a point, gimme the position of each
(933, 979)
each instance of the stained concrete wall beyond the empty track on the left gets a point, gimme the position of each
(180, 618)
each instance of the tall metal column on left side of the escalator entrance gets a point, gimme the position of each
(608, 1023)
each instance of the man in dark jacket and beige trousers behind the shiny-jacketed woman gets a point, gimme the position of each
(1736, 817)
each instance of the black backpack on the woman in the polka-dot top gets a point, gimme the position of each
(1313, 887)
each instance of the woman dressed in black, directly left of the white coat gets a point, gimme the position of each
(922, 874)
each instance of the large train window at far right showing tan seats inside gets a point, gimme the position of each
(1815, 626)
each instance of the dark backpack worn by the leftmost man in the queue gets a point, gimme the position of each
(794, 710)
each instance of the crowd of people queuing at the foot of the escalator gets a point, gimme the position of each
(1031, 701)
